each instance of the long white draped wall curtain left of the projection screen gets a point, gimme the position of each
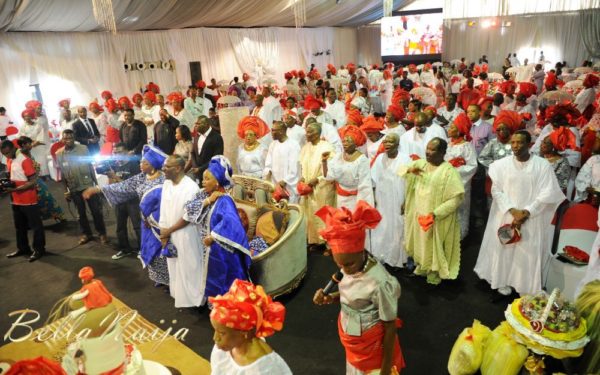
(80, 65)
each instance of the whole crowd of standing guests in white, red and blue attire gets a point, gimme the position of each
(393, 166)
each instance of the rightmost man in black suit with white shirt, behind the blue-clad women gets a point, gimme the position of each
(206, 144)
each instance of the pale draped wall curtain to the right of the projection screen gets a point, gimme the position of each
(557, 35)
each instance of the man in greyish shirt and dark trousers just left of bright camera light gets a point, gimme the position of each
(78, 174)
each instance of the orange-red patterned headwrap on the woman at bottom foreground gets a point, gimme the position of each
(245, 307)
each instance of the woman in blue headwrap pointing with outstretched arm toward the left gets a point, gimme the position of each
(147, 186)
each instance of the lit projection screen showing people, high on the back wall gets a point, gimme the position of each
(419, 34)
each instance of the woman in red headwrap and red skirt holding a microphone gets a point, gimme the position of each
(368, 294)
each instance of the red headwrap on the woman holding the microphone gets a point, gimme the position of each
(345, 231)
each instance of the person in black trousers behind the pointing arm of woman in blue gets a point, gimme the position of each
(123, 167)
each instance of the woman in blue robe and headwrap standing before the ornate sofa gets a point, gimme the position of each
(226, 254)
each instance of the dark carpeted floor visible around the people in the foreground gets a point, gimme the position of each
(433, 316)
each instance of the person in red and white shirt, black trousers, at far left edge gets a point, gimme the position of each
(23, 190)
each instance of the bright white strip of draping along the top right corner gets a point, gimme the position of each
(494, 8)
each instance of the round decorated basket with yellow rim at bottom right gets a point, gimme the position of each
(548, 324)
